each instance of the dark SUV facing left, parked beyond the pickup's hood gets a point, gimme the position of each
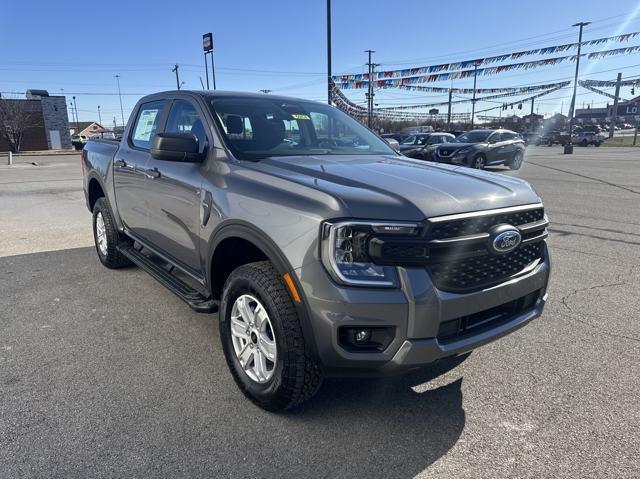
(480, 148)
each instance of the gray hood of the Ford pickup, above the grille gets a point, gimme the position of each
(399, 188)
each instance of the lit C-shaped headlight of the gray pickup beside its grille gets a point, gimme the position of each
(344, 252)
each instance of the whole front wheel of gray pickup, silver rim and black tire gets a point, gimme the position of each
(262, 339)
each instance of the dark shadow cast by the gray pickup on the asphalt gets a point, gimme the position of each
(106, 373)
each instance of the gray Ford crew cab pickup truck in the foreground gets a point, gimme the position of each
(325, 251)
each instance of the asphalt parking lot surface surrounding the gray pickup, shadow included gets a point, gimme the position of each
(107, 374)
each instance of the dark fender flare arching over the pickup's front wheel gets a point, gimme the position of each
(252, 234)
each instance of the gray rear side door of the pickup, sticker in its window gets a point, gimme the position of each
(129, 167)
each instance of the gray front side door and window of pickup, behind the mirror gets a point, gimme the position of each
(174, 192)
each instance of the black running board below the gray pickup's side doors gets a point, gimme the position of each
(182, 290)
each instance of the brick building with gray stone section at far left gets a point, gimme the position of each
(43, 119)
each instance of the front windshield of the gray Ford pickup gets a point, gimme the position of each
(256, 128)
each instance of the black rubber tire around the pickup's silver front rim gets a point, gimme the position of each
(296, 375)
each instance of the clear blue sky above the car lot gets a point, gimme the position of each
(280, 45)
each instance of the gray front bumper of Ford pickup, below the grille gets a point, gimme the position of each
(415, 310)
